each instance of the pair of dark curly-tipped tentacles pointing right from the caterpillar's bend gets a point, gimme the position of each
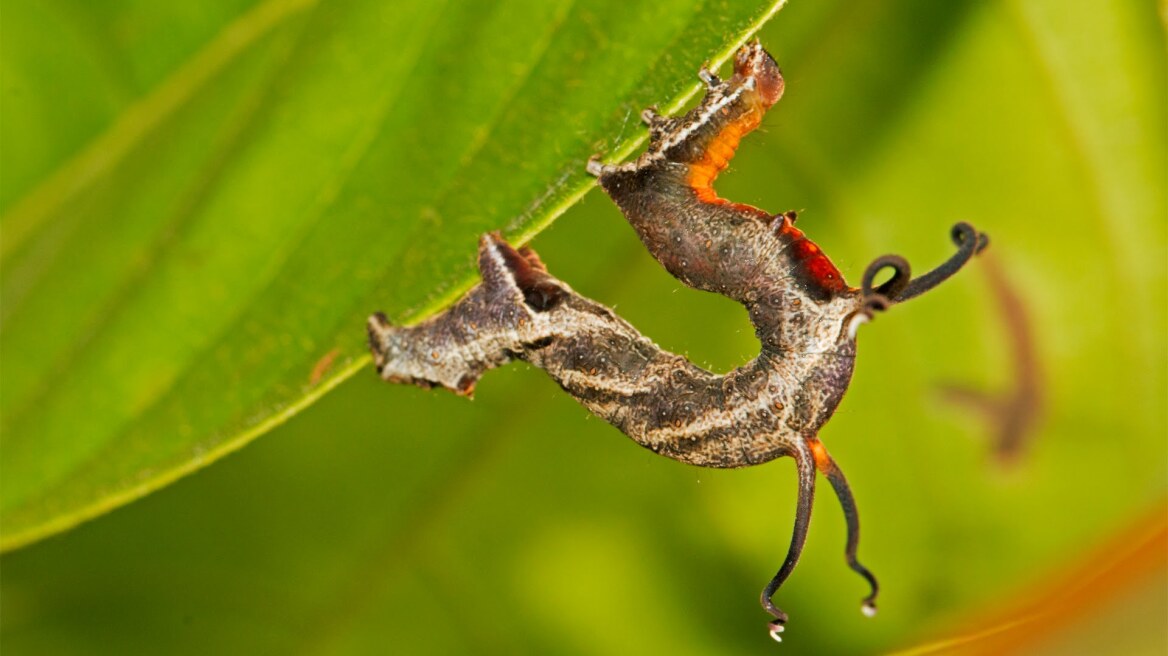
(902, 287)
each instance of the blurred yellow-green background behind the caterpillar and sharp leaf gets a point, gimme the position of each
(393, 520)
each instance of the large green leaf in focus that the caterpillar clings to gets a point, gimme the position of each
(201, 268)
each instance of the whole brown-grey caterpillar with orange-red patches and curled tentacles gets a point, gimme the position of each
(803, 312)
